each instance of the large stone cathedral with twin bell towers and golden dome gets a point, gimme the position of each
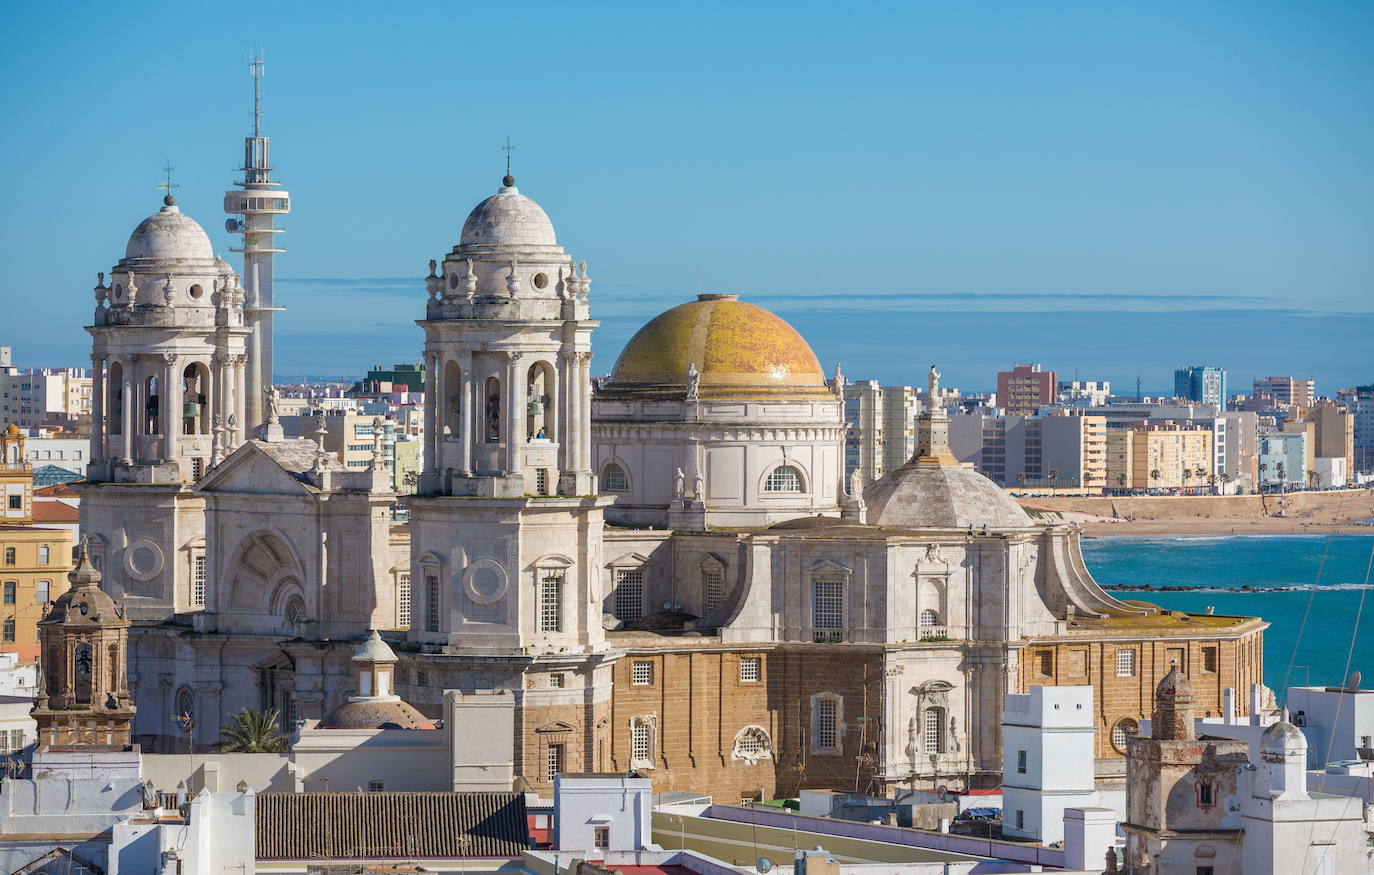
(664, 573)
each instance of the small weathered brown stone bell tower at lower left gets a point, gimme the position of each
(83, 686)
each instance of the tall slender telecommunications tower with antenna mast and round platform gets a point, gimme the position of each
(254, 214)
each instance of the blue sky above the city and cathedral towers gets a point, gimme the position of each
(1108, 189)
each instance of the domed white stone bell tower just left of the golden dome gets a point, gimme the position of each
(506, 528)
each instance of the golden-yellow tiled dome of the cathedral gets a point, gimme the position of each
(741, 351)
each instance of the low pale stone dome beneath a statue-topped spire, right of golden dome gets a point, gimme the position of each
(942, 497)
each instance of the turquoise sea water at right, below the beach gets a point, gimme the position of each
(1335, 594)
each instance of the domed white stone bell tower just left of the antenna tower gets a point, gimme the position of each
(168, 354)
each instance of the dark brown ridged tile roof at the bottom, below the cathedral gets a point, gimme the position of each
(333, 826)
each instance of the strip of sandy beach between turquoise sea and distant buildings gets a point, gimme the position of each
(1300, 513)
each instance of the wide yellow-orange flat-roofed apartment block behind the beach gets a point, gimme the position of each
(1159, 457)
